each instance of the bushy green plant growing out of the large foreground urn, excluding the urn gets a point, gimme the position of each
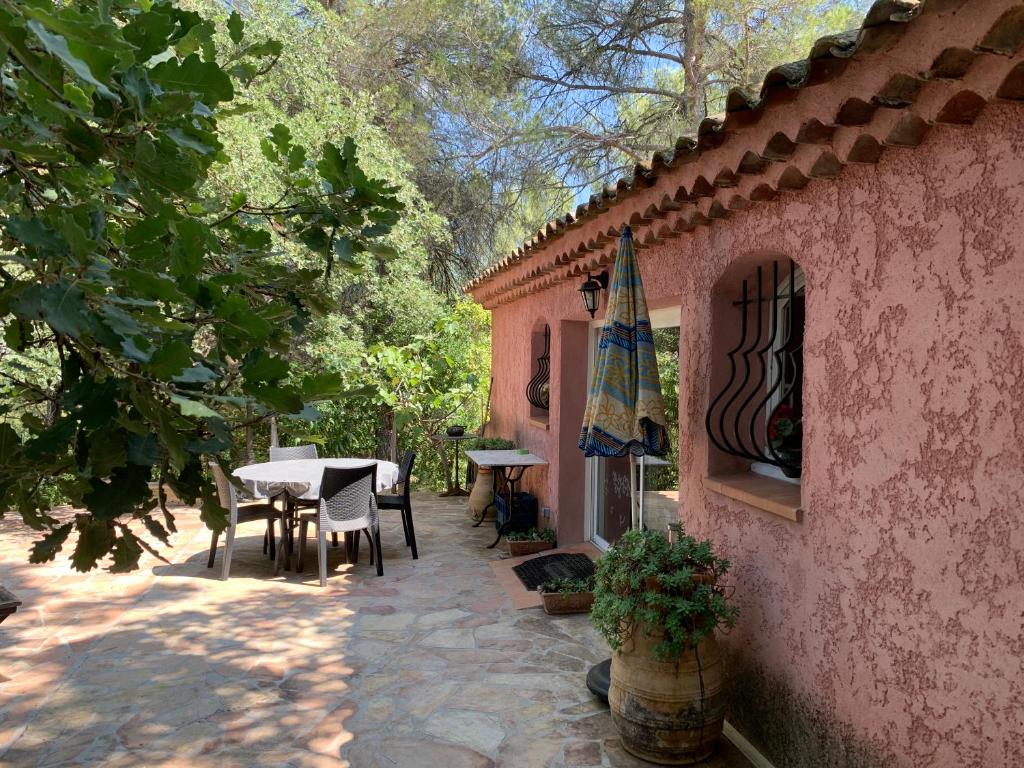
(670, 591)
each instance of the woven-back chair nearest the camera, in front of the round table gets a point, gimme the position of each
(348, 505)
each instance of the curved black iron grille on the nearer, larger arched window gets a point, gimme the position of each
(763, 397)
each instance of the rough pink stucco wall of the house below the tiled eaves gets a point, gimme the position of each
(887, 627)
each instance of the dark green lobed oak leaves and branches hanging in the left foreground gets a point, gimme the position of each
(143, 311)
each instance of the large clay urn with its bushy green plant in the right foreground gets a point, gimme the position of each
(658, 605)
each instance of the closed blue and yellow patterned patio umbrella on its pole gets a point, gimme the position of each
(625, 409)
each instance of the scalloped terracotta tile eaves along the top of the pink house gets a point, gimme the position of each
(898, 114)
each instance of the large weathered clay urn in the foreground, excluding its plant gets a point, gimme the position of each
(668, 712)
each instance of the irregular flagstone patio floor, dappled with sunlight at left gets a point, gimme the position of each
(429, 666)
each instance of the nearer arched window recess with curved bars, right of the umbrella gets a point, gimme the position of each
(756, 410)
